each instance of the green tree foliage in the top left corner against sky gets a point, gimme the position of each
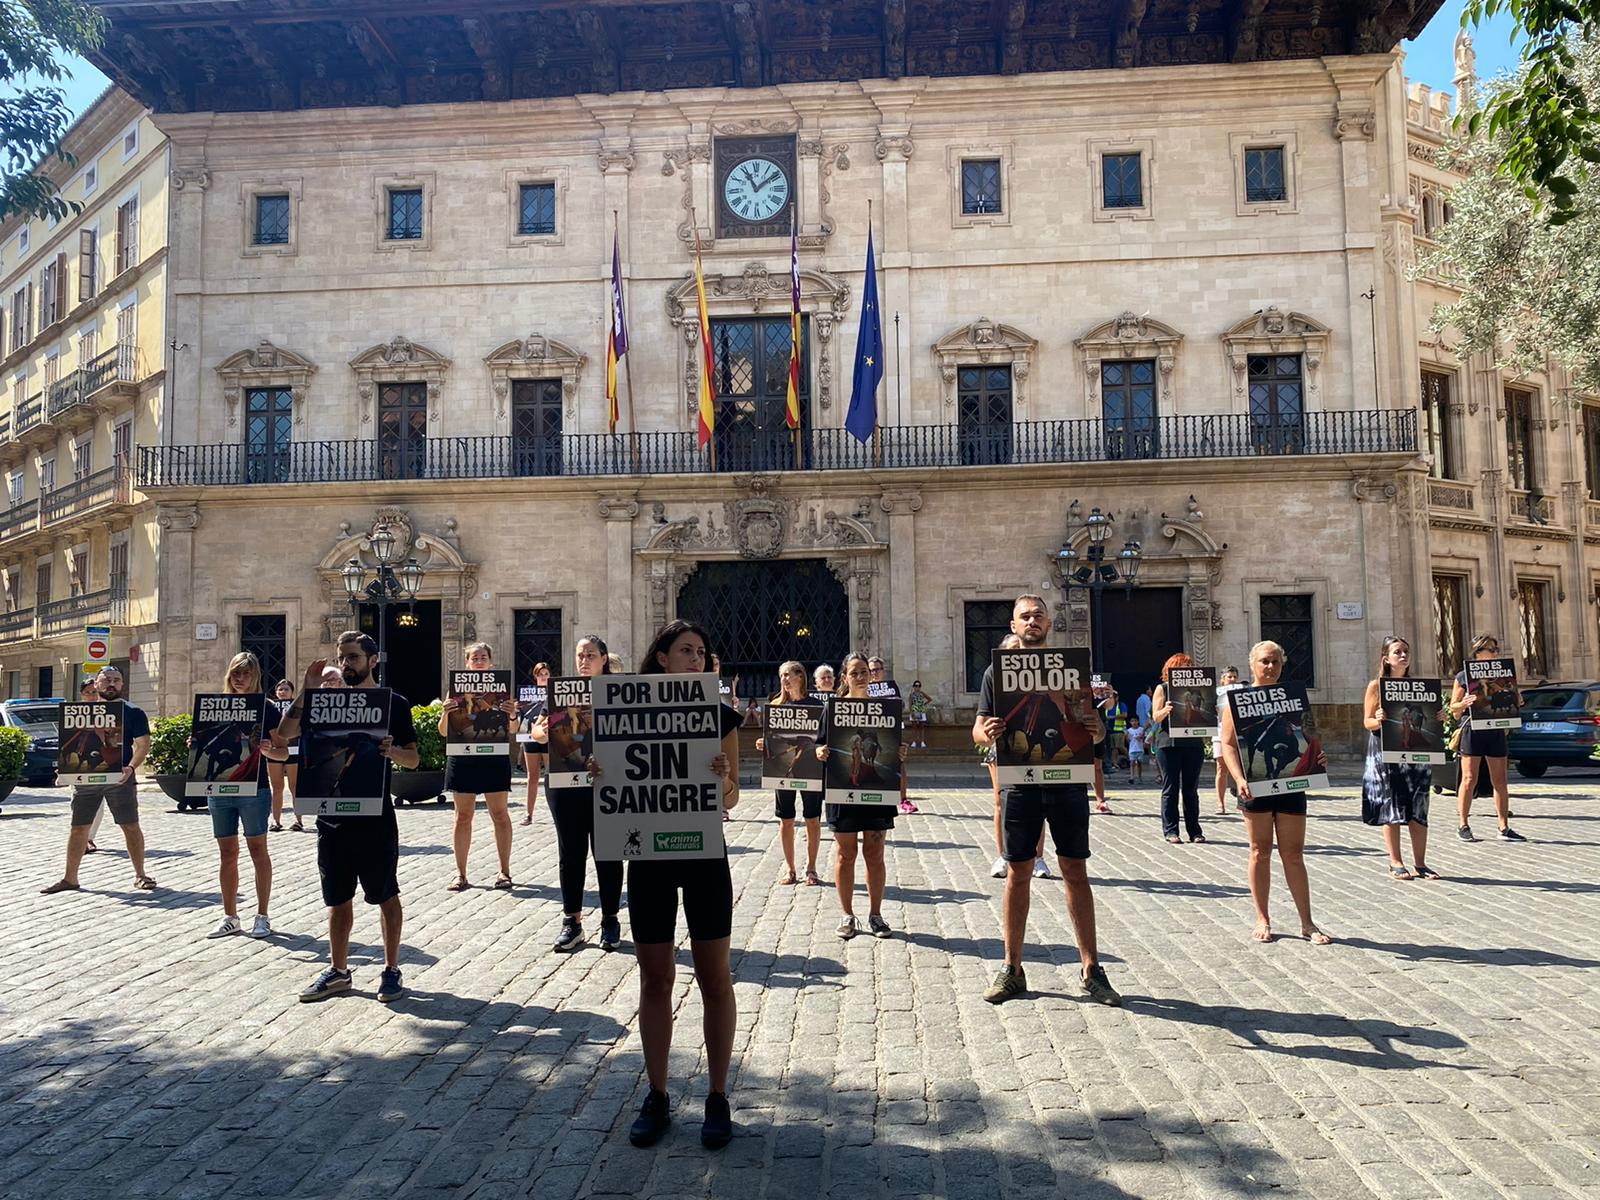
(34, 116)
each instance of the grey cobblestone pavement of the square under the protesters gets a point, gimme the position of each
(1446, 1047)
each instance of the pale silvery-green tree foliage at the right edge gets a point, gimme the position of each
(1530, 287)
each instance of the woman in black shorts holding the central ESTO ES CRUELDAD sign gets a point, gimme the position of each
(866, 822)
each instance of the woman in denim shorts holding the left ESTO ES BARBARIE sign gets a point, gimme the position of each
(238, 722)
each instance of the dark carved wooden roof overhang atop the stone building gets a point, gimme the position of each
(282, 55)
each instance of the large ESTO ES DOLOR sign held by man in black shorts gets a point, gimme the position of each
(1047, 703)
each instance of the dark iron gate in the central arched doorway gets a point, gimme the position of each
(764, 614)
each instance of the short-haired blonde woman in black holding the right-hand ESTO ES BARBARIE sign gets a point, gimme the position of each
(1271, 818)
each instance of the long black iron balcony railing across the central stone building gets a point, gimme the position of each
(738, 450)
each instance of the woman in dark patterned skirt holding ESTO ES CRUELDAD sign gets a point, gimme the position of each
(1396, 793)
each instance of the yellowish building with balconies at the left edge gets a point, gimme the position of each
(82, 383)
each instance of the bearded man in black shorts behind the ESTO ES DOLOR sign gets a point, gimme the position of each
(1028, 809)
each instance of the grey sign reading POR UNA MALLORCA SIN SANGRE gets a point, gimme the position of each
(655, 738)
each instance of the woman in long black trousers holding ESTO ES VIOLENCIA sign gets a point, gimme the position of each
(564, 729)
